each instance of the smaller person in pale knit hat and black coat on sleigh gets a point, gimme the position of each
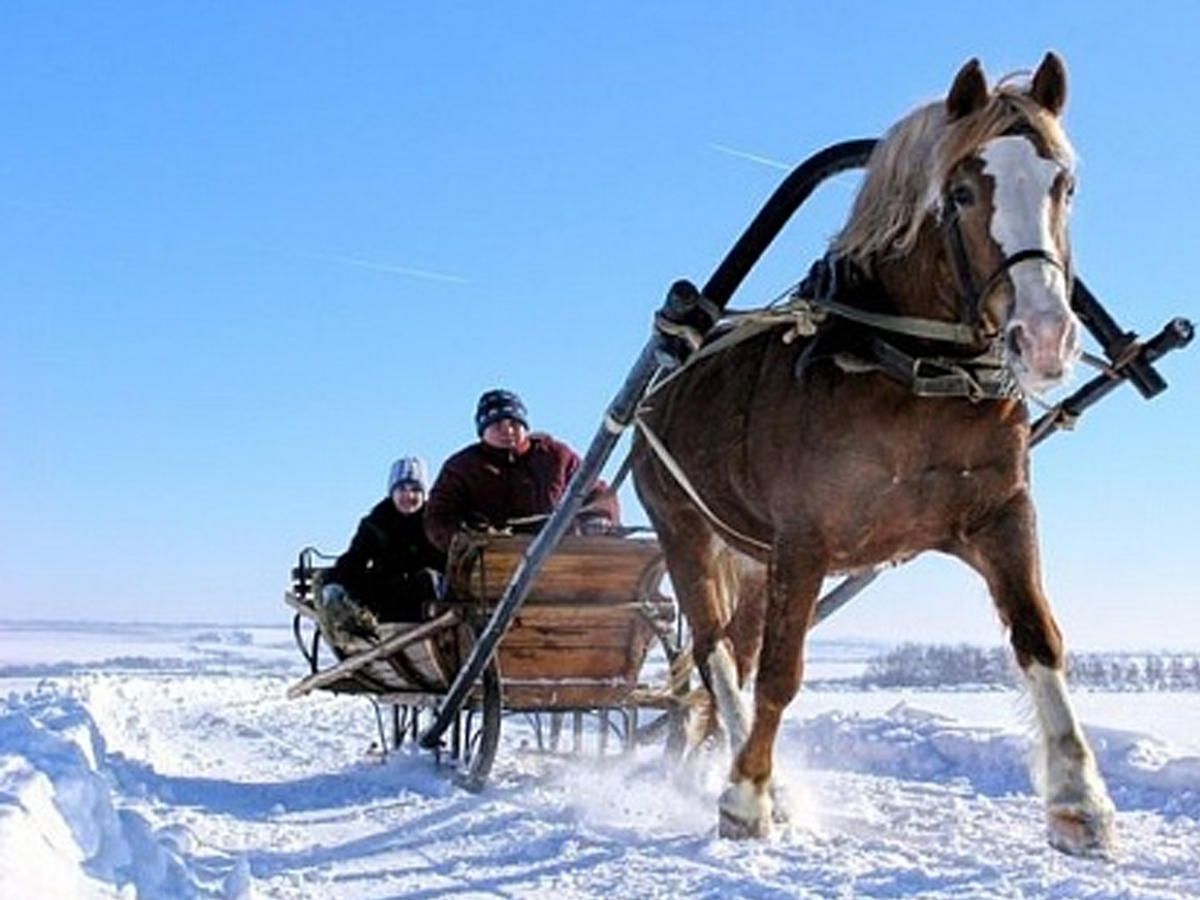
(391, 569)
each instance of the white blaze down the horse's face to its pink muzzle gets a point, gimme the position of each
(1042, 332)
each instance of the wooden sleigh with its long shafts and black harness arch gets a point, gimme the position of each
(524, 617)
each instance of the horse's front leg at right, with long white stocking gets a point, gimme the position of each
(1078, 807)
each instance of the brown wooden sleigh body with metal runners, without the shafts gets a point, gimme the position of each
(593, 656)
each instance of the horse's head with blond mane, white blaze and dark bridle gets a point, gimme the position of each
(964, 215)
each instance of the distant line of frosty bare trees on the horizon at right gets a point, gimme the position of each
(919, 665)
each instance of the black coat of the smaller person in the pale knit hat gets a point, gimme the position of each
(386, 567)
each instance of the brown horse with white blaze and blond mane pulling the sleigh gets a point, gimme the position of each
(779, 463)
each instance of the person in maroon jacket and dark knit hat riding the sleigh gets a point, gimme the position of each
(511, 481)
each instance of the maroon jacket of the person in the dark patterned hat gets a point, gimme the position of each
(484, 487)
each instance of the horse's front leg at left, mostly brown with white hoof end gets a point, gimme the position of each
(794, 581)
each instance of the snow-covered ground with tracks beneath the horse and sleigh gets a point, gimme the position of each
(166, 763)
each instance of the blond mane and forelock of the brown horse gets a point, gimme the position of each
(908, 169)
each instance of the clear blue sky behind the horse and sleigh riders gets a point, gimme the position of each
(251, 253)
